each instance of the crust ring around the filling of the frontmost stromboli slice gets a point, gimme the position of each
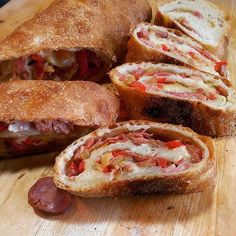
(197, 178)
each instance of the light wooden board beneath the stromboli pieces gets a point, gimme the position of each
(207, 213)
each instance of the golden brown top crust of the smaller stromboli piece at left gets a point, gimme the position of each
(81, 103)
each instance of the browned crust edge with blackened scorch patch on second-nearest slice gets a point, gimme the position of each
(198, 116)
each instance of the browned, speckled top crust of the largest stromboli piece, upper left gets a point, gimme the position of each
(101, 25)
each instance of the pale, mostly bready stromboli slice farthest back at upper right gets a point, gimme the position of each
(199, 19)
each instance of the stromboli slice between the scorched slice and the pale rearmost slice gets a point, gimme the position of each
(159, 44)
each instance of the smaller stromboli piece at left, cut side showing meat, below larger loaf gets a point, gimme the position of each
(40, 116)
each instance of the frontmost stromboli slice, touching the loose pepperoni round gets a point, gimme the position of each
(136, 157)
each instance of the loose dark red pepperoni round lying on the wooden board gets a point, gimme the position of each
(45, 196)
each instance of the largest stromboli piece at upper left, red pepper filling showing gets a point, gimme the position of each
(71, 40)
